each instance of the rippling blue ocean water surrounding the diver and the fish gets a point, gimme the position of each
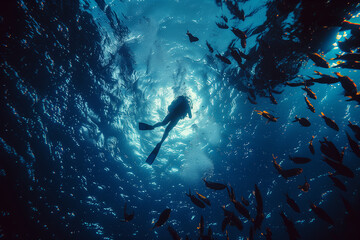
(78, 76)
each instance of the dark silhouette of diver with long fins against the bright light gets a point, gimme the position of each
(178, 109)
